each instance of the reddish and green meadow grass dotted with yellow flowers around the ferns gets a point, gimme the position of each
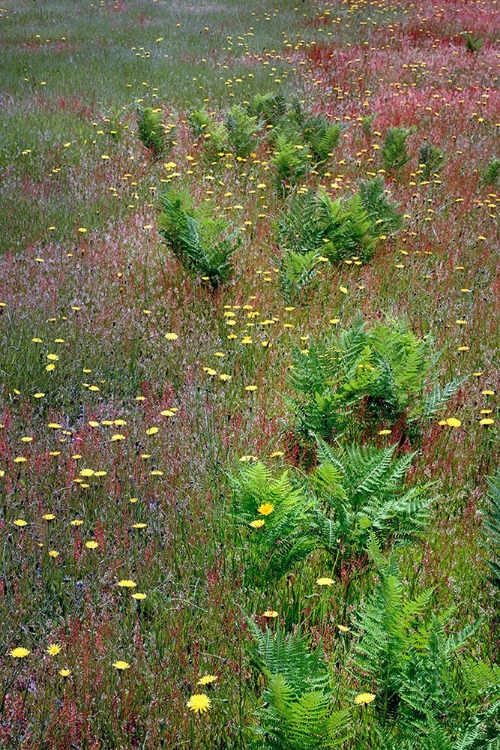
(117, 457)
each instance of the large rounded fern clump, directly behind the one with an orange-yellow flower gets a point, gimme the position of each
(382, 373)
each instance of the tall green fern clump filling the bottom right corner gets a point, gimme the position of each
(424, 686)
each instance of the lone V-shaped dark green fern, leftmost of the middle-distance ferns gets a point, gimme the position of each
(204, 244)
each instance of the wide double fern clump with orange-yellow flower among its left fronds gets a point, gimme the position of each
(355, 493)
